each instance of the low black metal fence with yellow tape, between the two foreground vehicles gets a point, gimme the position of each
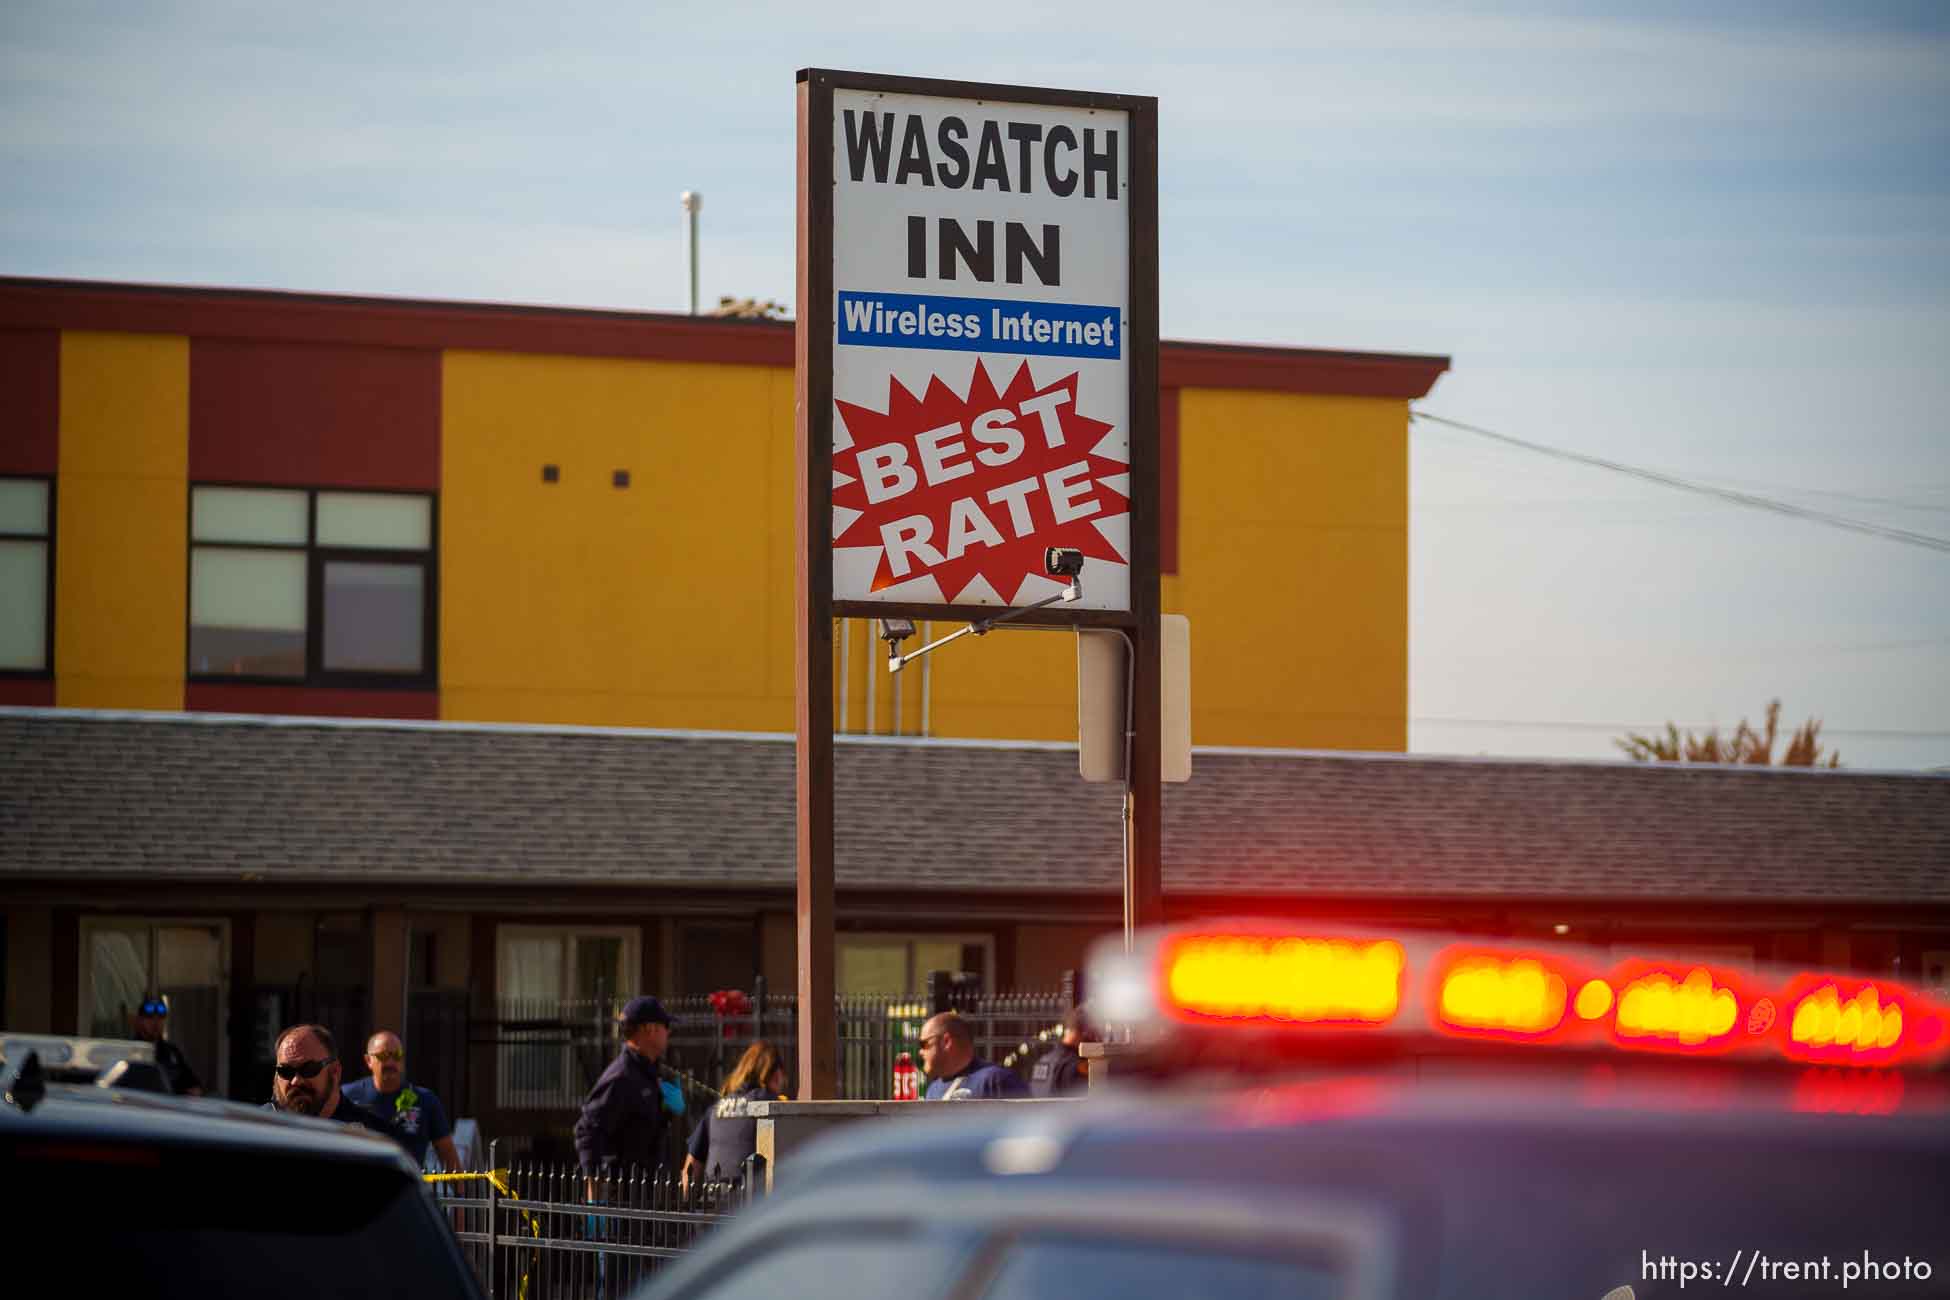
(547, 1233)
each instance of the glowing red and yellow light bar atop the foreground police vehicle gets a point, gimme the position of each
(1337, 985)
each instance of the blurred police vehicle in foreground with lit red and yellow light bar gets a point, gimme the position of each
(1362, 1116)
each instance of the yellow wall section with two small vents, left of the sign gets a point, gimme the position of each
(668, 603)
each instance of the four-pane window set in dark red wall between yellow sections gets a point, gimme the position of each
(311, 586)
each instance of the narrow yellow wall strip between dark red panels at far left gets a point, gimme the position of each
(122, 551)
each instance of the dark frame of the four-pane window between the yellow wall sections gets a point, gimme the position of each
(317, 556)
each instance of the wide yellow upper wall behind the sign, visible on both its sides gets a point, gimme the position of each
(672, 603)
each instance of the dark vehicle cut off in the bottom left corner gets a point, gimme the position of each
(116, 1192)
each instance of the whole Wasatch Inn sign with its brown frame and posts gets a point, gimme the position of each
(978, 383)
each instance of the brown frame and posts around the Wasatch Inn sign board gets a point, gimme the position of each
(814, 346)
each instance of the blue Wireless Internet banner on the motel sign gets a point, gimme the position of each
(980, 325)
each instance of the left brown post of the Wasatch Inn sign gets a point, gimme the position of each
(814, 675)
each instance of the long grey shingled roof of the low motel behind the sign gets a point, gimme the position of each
(184, 796)
